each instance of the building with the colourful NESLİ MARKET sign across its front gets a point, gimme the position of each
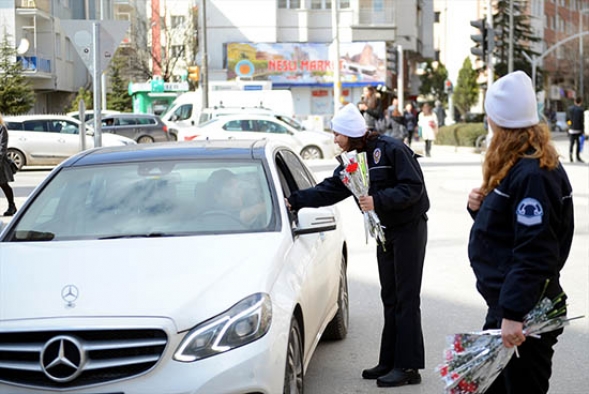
(290, 43)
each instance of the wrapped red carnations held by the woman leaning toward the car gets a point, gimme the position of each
(355, 177)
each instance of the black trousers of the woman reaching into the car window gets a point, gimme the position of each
(400, 270)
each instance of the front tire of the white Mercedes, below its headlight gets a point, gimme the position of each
(293, 372)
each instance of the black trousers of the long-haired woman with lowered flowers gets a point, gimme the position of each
(530, 373)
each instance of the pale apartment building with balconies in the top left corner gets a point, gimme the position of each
(49, 59)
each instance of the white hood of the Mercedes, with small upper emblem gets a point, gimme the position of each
(186, 279)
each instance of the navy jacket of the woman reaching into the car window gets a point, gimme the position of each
(396, 184)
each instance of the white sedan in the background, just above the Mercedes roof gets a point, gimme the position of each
(309, 144)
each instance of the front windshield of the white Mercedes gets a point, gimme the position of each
(150, 199)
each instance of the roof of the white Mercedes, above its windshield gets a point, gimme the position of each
(209, 149)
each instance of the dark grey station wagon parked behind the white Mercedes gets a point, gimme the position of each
(143, 128)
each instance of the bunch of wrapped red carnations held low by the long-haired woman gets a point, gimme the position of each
(474, 360)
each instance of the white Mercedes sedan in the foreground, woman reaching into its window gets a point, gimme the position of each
(146, 287)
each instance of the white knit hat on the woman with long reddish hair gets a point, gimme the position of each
(511, 101)
